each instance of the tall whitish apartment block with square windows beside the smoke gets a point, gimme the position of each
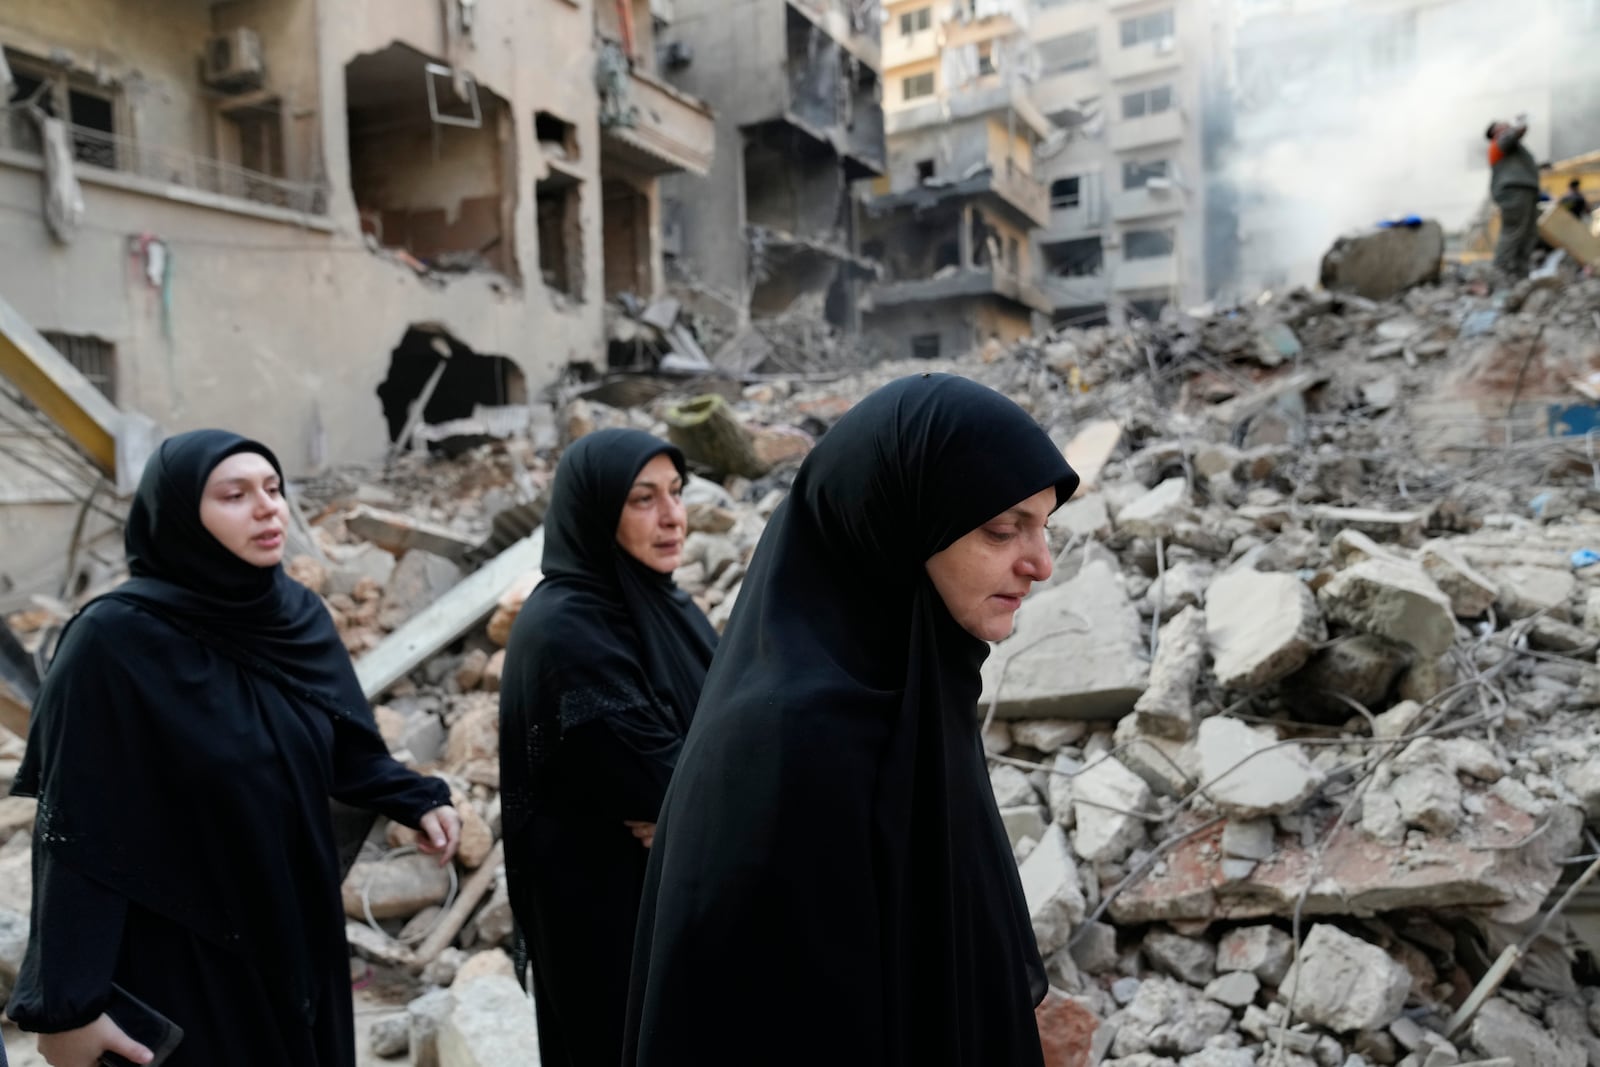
(1129, 84)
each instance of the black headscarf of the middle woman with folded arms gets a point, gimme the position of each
(602, 631)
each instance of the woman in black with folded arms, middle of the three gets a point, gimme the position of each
(602, 674)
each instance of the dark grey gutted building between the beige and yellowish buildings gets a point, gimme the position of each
(799, 116)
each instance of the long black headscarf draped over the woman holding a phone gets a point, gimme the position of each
(185, 713)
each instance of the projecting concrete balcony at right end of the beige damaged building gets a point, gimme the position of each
(658, 129)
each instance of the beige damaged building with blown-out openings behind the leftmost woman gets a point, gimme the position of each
(321, 225)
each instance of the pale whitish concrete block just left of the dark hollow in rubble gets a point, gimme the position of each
(1262, 628)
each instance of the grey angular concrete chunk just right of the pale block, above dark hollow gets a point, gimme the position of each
(1393, 601)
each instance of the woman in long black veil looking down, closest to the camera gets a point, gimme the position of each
(831, 882)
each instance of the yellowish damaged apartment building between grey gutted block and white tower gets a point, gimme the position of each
(953, 218)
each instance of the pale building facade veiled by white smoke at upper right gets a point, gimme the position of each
(1353, 113)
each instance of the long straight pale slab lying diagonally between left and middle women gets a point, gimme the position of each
(460, 610)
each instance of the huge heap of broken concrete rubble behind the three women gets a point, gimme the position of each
(1311, 666)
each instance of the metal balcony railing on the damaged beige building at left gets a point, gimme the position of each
(127, 156)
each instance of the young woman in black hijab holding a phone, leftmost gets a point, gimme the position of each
(185, 748)
